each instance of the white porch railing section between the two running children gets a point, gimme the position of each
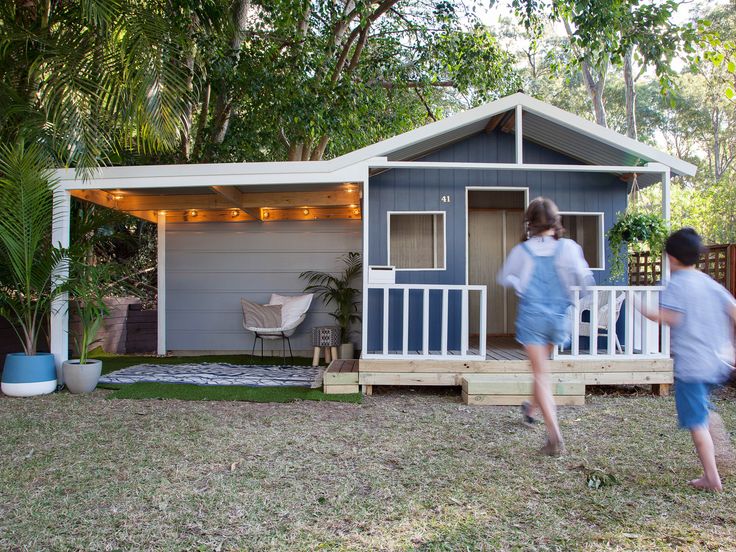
(642, 338)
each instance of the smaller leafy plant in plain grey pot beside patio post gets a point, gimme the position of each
(86, 286)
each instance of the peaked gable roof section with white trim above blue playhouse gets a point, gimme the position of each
(543, 123)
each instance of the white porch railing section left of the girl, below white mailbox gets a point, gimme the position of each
(401, 293)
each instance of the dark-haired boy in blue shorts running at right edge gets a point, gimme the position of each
(701, 314)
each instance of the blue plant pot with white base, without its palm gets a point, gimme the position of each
(26, 376)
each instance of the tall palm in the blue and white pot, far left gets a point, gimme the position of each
(28, 263)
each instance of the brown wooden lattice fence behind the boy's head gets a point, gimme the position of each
(718, 261)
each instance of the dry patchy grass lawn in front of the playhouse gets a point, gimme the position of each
(404, 470)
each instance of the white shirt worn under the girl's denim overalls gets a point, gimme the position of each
(570, 263)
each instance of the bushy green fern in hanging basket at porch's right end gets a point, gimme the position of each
(637, 231)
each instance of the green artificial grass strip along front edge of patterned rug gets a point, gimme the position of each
(189, 392)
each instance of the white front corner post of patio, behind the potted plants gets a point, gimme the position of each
(59, 332)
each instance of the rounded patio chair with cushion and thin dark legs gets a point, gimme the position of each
(279, 319)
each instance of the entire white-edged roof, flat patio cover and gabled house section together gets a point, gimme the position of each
(542, 123)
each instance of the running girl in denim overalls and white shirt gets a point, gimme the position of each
(541, 270)
